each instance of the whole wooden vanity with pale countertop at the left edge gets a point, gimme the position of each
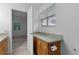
(3, 44)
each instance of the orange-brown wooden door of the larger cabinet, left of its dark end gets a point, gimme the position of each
(42, 47)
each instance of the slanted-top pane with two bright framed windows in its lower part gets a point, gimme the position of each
(48, 17)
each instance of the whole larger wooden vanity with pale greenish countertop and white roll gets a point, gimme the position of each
(47, 44)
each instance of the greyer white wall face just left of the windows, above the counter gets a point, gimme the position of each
(35, 18)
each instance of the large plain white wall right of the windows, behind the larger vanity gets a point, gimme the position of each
(67, 22)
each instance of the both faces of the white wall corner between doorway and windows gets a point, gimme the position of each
(32, 24)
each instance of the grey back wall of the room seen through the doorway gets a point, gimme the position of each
(18, 18)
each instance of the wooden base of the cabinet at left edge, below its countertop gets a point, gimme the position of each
(4, 47)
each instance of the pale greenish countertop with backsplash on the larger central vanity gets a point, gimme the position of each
(48, 37)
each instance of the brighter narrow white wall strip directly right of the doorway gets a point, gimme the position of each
(30, 30)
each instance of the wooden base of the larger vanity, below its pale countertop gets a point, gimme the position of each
(44, 48)
